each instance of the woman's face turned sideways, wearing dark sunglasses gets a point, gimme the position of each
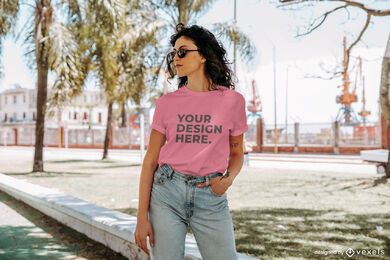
(192, 61)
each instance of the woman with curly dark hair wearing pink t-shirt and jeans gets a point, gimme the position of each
(195, 152)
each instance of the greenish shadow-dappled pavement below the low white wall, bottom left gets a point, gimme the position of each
(25, 233)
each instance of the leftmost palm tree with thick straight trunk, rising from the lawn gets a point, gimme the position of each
(50, 47)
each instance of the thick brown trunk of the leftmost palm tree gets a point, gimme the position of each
(40, 123)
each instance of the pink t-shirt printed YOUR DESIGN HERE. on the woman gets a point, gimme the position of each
(197, 126)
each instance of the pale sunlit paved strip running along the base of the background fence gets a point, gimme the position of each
(316, 162)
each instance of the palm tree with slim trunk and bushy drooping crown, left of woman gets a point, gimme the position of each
(119, 33)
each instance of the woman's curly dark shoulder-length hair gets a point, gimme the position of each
(217, 69)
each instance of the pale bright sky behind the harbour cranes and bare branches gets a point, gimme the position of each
(309, 99)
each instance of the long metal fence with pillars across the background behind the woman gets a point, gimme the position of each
(298, 134)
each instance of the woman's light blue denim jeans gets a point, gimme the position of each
(177, 203)
